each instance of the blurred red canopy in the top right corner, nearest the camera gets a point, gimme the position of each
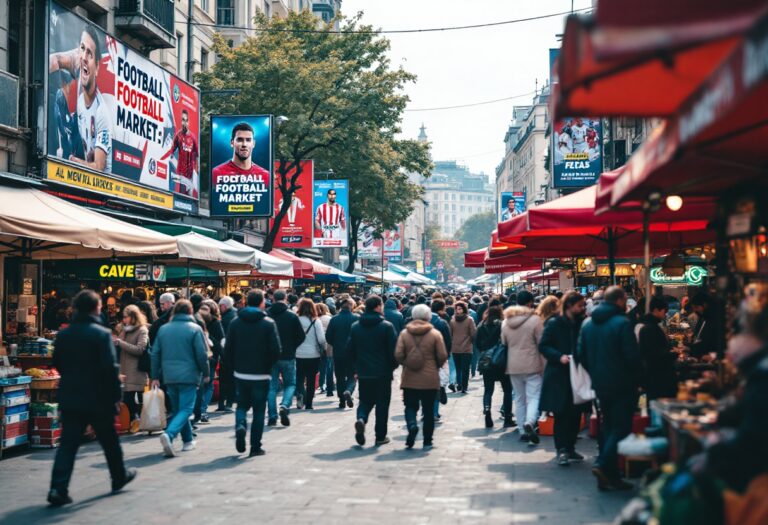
(643, 59)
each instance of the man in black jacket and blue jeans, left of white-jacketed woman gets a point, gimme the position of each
(291, 336)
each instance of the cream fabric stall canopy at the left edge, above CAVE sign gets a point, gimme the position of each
(40, 226)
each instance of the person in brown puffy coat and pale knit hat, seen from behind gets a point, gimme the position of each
(421, 351)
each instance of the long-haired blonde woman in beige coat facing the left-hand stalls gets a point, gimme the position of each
(131, 343)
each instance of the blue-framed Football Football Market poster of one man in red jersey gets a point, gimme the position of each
(241, 166)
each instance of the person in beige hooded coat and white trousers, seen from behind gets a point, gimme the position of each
(521, 332)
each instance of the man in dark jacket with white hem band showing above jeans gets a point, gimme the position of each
(252, 348)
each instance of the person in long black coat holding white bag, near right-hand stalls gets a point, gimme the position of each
(558, 344)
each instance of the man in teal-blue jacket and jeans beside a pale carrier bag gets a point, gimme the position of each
(180, 357)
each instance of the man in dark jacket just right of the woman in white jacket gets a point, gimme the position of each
(337, 336)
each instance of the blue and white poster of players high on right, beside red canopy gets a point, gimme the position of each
(577, 152)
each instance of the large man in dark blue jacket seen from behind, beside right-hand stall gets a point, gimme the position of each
(608, 350)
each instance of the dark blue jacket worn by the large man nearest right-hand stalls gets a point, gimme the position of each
(608, 350)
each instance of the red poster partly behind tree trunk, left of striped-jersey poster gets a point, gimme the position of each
(295, 229)
